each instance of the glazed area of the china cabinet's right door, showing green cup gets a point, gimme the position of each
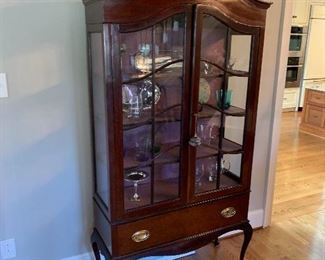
(221, 78)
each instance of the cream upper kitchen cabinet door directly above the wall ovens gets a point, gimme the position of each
(300, 12)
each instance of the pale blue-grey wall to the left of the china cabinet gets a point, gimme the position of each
(45, 166)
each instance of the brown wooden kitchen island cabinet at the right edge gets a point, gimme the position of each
(313, 120)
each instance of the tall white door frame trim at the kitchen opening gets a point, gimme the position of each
(280, 76)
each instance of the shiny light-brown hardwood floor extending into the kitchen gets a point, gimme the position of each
(297, 231)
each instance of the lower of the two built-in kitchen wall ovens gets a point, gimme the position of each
(294, 72)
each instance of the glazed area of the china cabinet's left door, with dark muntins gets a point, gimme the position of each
(152, 87)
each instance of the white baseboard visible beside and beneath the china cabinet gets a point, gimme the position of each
(255, 217)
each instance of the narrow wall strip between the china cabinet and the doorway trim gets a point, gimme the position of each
(265, 107)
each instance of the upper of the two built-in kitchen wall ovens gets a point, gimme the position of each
(298, 40)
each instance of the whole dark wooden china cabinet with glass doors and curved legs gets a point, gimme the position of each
(174, 90)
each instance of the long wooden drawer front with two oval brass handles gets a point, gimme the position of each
(180, 224)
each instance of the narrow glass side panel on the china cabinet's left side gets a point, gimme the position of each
(99, 113)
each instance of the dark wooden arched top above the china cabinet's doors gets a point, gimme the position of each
(247, 12)
